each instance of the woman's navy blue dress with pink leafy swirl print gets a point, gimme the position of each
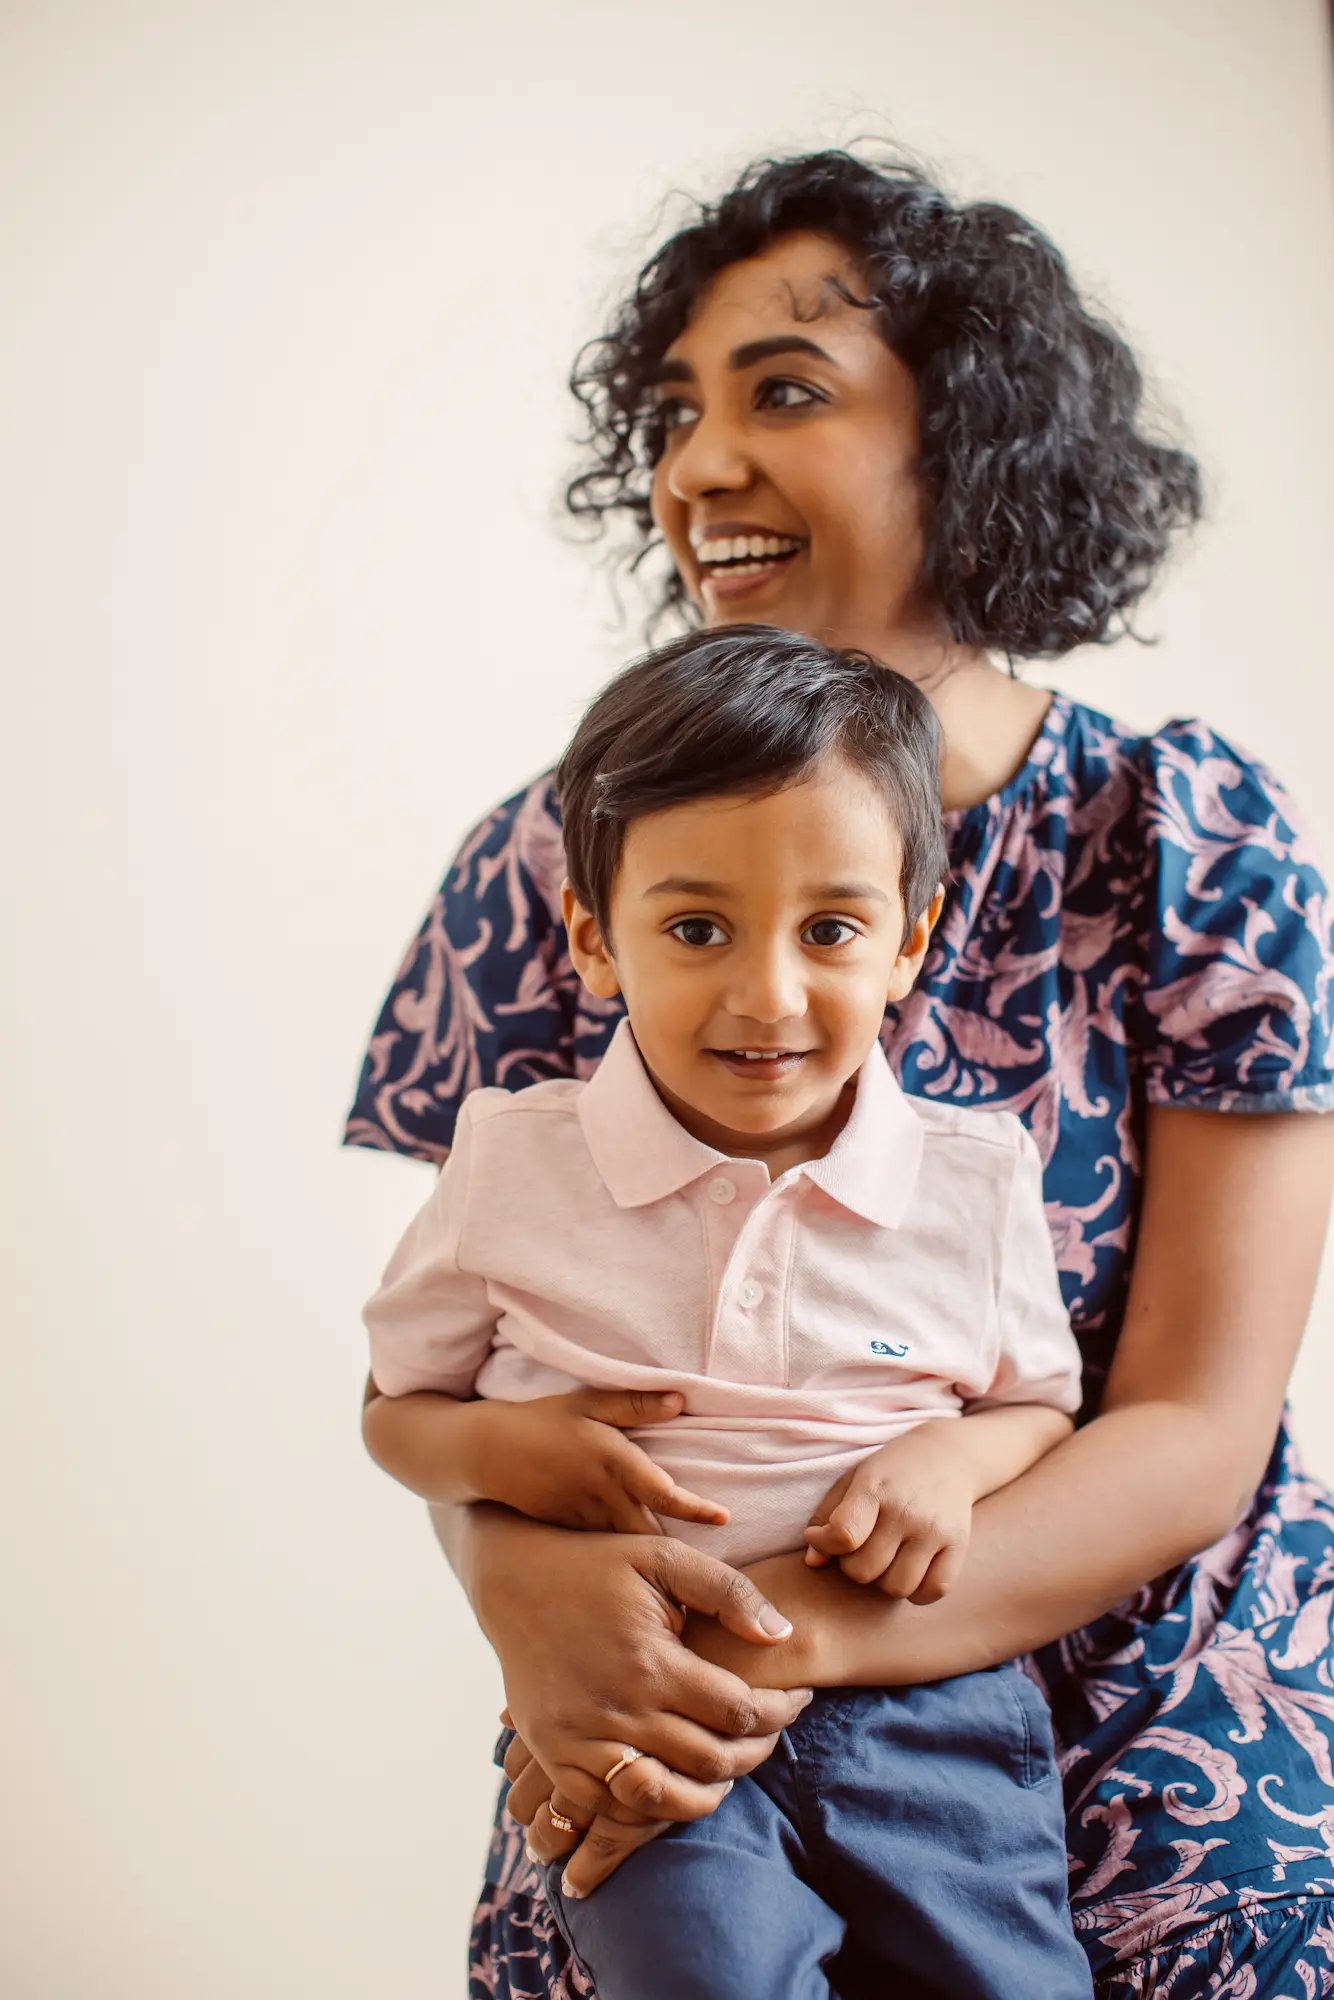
(1133, 921)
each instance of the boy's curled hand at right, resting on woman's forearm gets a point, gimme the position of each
(901, 1519)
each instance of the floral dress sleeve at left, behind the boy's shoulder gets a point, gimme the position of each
(485, 993)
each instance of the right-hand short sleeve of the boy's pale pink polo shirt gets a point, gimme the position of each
(1039, 1357)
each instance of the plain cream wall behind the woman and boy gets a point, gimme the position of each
(291, 291)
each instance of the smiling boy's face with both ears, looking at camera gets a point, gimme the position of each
(757, 943)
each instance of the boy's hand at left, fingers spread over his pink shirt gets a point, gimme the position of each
(565, 1459)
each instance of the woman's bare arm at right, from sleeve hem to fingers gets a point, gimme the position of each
(1229, 1249)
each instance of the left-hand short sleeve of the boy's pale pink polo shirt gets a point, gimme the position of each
(431, 1323)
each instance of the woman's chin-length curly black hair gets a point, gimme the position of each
(1049, 507)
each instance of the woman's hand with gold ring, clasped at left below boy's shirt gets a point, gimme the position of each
(589, 1635)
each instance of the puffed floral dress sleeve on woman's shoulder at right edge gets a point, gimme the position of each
(1235, 1009)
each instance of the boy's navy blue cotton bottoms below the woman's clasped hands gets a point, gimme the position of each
(901, 1841)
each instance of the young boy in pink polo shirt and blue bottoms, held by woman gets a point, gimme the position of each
(853, 1295)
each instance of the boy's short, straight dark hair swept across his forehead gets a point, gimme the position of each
(747, 711)
